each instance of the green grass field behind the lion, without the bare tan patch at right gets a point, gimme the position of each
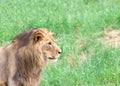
(74, 23)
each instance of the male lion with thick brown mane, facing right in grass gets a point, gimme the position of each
(22, 60)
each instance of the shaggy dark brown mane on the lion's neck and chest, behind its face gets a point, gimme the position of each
(28, 59)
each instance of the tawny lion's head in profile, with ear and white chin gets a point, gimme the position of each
(45, 42)
